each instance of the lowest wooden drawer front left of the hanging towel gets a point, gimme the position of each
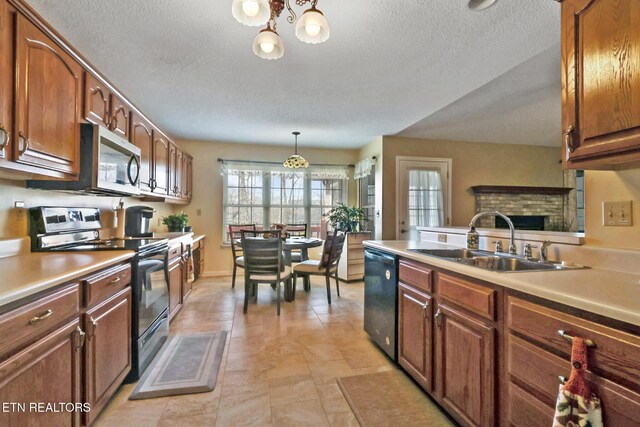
(527, 411)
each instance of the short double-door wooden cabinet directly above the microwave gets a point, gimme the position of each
(102, 107)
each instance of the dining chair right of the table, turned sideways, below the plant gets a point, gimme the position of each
(327, 266)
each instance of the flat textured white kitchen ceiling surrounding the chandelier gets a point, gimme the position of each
(388, 64)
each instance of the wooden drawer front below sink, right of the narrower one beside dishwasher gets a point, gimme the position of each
(476, 298)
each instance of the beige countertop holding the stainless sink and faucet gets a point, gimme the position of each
(604, 292)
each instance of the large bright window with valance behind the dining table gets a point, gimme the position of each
(264, 194)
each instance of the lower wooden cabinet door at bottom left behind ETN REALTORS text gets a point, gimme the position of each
(47, 372)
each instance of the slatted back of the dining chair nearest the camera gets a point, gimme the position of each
(262, 253)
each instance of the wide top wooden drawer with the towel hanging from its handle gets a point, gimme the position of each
(616, 355)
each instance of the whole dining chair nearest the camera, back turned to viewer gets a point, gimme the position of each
(263, 263)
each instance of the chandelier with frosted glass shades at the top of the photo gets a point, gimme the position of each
(312, 27)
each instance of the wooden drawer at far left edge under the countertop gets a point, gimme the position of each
(38, 317)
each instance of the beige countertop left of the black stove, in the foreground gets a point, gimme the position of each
(28, 274)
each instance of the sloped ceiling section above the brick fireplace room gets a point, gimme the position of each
(522, 106)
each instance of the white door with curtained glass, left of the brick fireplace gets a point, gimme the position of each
(423, 195)
